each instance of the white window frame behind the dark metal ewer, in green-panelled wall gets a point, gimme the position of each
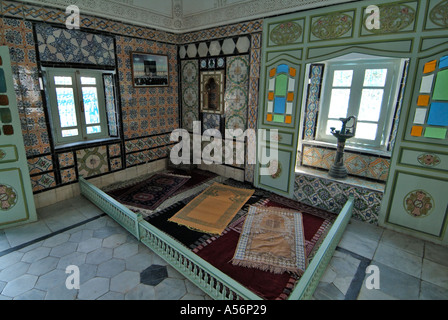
(395, 67)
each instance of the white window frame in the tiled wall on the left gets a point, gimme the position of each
(76, 86)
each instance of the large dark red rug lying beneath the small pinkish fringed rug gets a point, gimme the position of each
(219, 251)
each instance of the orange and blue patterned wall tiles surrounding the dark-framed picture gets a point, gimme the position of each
(147, 111)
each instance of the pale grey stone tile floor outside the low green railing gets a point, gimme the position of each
(34, 258)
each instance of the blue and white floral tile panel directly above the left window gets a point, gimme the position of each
(65, 45)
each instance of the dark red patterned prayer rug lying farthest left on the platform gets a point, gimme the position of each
(150, 193)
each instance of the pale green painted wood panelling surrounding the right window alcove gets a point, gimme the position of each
(410, 29)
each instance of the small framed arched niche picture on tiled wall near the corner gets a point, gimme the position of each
(212, 91)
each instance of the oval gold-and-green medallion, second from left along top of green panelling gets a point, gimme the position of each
(332, 26)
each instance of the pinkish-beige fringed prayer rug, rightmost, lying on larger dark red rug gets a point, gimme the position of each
(272, 240)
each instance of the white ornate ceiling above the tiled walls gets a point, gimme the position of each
(181, 16)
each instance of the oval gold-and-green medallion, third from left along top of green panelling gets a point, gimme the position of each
(394, 18)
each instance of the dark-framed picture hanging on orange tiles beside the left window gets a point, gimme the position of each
(149, 70)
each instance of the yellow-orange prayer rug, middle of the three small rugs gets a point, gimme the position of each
(213, 209)
